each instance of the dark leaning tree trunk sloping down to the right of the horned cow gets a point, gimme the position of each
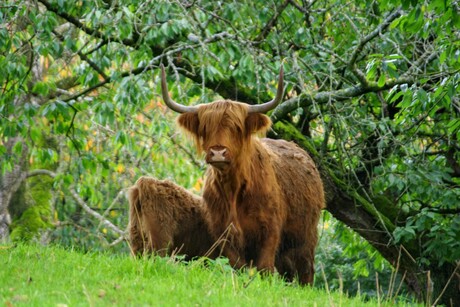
(426, 285)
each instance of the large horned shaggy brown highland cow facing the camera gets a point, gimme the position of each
(269, 191)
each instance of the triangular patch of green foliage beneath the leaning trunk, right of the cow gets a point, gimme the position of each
(348, 264)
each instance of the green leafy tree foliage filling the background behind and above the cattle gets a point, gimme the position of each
(372, 85)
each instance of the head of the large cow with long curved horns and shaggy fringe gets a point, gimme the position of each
(223, 129)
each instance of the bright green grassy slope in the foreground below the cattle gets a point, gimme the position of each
(32, 275)
